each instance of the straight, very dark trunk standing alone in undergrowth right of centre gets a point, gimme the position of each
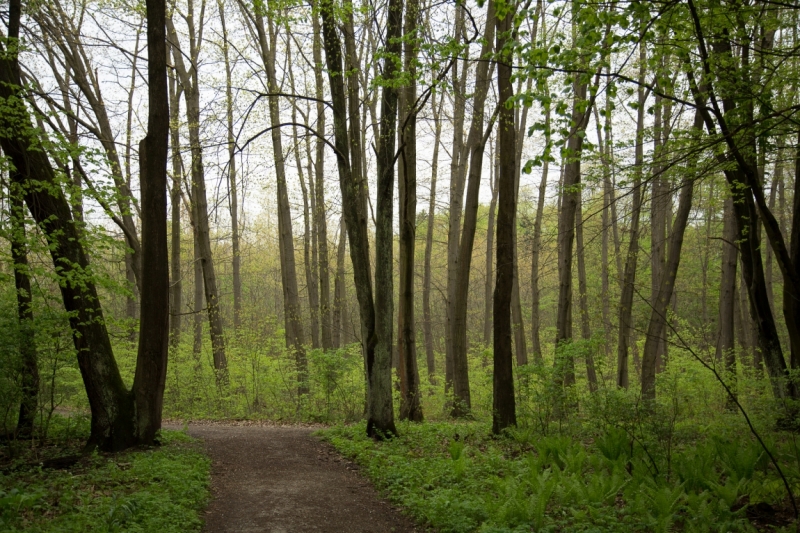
(503, 404)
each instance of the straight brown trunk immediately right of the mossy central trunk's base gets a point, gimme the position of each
(410, 408)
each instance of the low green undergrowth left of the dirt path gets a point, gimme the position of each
(159, 490)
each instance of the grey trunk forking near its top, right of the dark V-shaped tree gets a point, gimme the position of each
(191, 92)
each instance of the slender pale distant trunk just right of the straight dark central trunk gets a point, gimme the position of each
(426, 280)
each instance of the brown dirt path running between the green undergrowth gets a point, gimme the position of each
(283, 480)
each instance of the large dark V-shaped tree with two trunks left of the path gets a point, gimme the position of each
(120, 418)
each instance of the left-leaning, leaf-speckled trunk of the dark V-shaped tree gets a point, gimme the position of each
(110, 403)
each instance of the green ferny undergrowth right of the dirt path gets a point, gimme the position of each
(455, 477)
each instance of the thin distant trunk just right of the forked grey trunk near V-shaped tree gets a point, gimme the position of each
(232, 188)
